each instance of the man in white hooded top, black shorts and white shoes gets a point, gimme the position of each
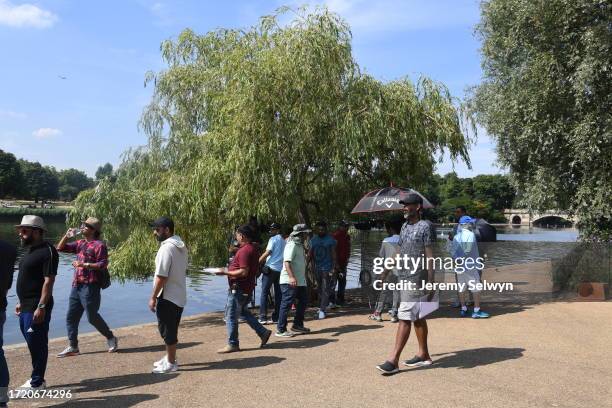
(169, 290)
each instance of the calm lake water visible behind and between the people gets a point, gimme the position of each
(126, 304)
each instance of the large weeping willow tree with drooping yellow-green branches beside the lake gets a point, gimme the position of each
(276, 120)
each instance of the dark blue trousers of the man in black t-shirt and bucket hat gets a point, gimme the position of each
(37, 338)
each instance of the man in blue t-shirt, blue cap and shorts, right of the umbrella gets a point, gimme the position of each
(465, 248)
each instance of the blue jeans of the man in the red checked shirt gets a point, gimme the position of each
(85, 298)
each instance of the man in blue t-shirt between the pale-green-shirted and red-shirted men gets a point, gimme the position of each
(323, 257)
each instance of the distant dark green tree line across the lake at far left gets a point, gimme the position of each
(23, 179)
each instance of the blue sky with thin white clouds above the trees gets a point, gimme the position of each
(72, 72)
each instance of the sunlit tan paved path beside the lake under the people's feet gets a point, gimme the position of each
(527, 355)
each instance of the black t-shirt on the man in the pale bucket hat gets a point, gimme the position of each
(38, 261)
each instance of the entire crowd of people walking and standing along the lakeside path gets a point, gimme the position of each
(282, 264)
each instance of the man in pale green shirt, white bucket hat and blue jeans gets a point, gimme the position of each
(293, 283)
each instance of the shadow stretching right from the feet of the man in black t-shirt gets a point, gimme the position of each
(117, 383)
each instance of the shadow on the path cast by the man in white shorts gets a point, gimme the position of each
(475, 357)
